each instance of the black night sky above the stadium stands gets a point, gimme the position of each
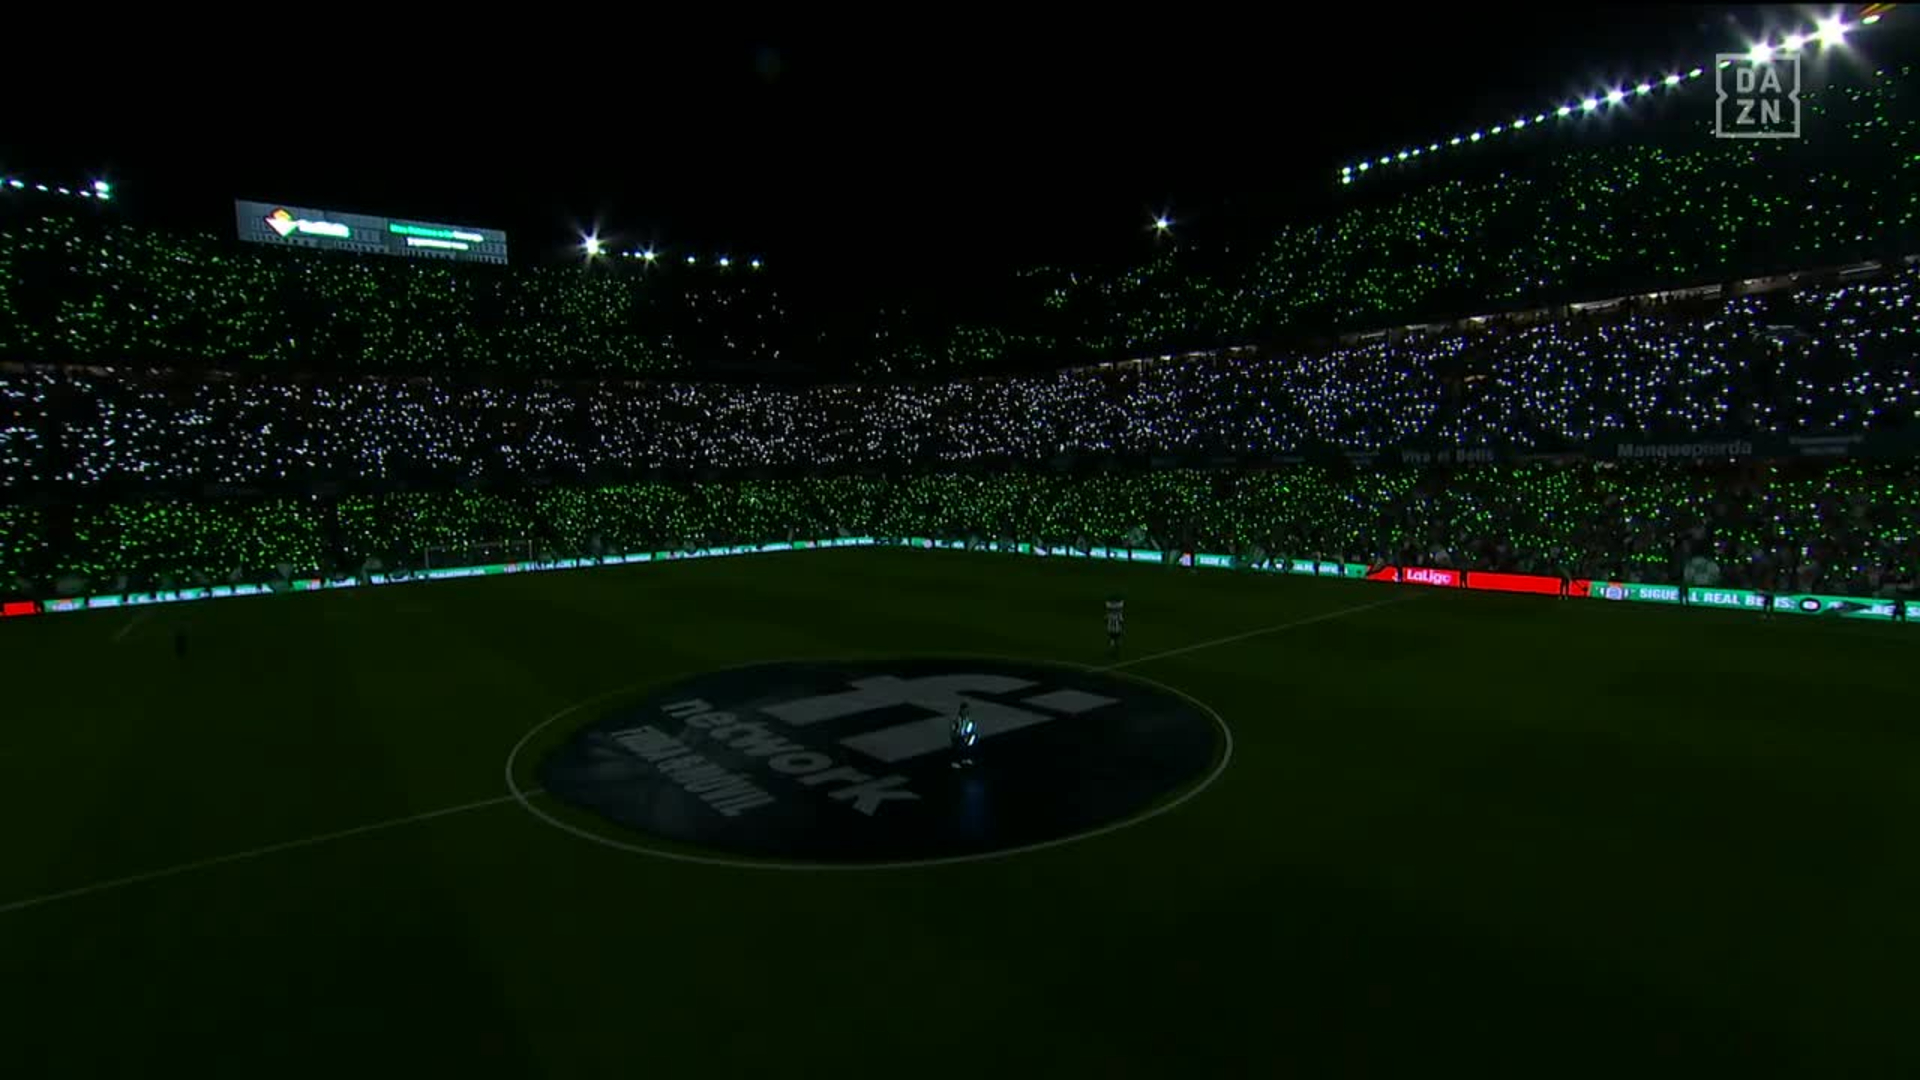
(857, 155)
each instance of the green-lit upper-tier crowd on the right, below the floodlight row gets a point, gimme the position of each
(1572, 226)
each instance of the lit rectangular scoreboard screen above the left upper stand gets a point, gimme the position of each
(304, 228)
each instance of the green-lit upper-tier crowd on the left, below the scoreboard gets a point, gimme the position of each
(76, 289)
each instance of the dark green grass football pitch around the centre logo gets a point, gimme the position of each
(1449, 835)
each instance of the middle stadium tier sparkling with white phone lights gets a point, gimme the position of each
(1836, 358)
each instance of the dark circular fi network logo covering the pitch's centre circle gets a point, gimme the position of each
(859, 762)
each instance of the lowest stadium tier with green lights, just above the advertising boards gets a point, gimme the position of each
(1835, 529)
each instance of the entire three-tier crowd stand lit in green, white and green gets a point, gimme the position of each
(181, 410)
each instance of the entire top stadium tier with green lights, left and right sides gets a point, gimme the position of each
(1533, 226)
